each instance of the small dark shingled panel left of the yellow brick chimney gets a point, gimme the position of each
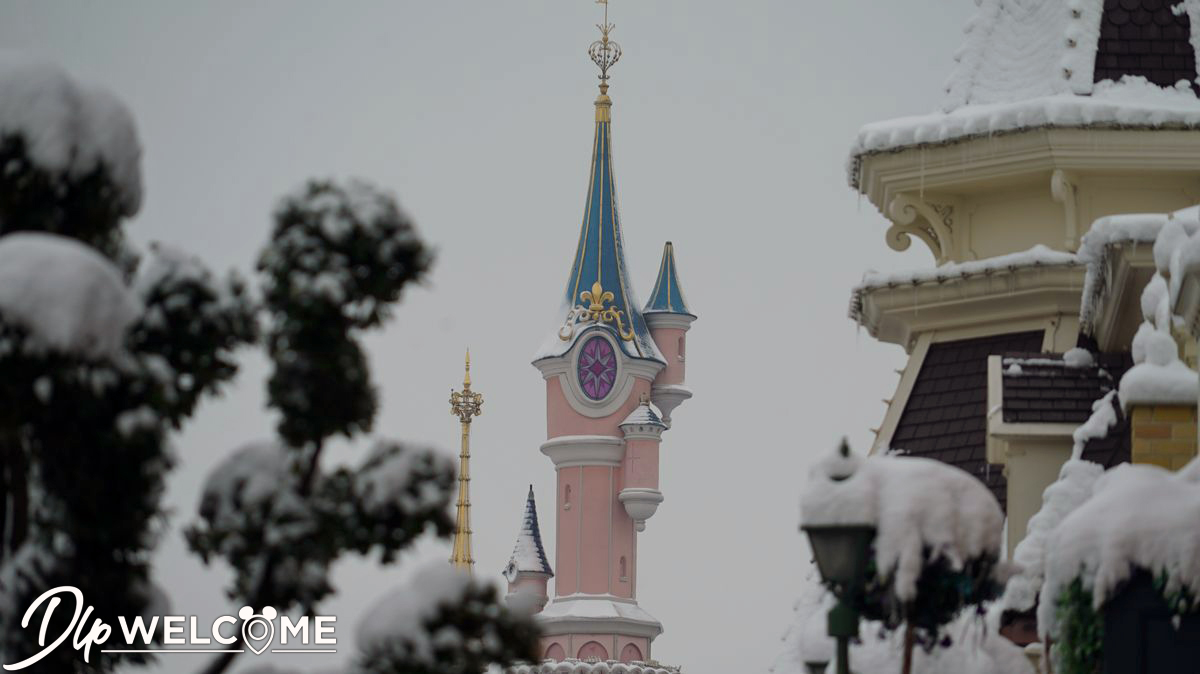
(1046, 390)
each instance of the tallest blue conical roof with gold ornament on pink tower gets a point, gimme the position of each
(601, 255)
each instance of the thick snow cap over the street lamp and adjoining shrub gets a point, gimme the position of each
(915, 503)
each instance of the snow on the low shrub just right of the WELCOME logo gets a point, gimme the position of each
(398, 619)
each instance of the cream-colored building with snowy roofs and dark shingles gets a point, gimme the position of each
(1058, 117)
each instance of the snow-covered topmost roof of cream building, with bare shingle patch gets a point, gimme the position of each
(1067, 64)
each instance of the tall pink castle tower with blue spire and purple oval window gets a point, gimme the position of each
(604, 366)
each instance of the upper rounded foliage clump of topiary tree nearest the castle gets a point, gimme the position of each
(339, 258)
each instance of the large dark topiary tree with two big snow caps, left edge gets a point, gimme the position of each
(91, 388)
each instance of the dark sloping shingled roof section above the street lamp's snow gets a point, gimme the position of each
(946, 417)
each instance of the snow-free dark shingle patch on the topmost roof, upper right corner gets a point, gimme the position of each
(1145, 38)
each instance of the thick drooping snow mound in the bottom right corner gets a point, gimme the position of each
(1138, 517)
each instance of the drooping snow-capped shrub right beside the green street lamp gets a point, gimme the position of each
(938, 537)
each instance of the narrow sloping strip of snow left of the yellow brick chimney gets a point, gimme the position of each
(1060, 500)
